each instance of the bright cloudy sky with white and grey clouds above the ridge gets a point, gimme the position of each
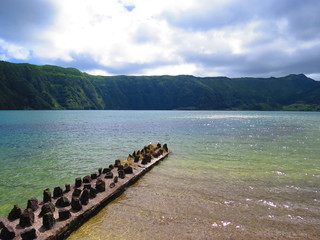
(232, 38)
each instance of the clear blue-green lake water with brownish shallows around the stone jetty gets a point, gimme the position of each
(232, 175)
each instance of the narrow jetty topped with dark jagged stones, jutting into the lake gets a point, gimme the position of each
(62, 211)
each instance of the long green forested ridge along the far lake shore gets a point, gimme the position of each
(26, 86)
